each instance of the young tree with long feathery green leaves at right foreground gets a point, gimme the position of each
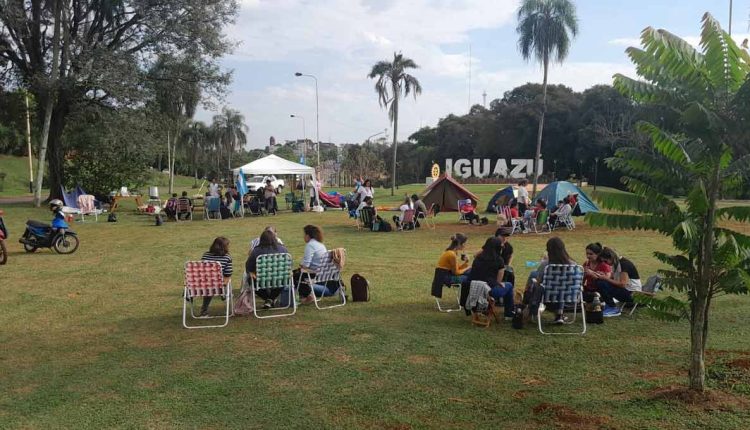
(705, 87)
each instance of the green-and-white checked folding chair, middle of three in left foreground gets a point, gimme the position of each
(274, 271)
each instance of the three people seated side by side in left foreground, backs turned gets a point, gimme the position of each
(269, 243)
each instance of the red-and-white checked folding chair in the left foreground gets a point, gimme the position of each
(205, 279)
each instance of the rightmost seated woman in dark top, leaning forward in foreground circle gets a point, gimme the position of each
(620, 285)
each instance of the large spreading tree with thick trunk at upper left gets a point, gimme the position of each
(103, 49)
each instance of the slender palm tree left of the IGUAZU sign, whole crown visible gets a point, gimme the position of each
(392, 79)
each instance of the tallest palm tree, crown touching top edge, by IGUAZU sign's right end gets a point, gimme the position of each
(545, 29)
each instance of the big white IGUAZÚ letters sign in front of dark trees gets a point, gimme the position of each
(482, 168)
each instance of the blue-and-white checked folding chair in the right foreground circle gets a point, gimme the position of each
(563, 284)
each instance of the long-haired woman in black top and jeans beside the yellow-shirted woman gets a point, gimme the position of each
(489, 267)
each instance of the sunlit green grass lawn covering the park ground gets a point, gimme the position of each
(94, 340)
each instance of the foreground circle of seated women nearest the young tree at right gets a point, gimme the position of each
(608, 277)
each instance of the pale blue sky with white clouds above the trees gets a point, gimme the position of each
(338, 41)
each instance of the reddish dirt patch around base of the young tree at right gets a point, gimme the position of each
(712, 400)
